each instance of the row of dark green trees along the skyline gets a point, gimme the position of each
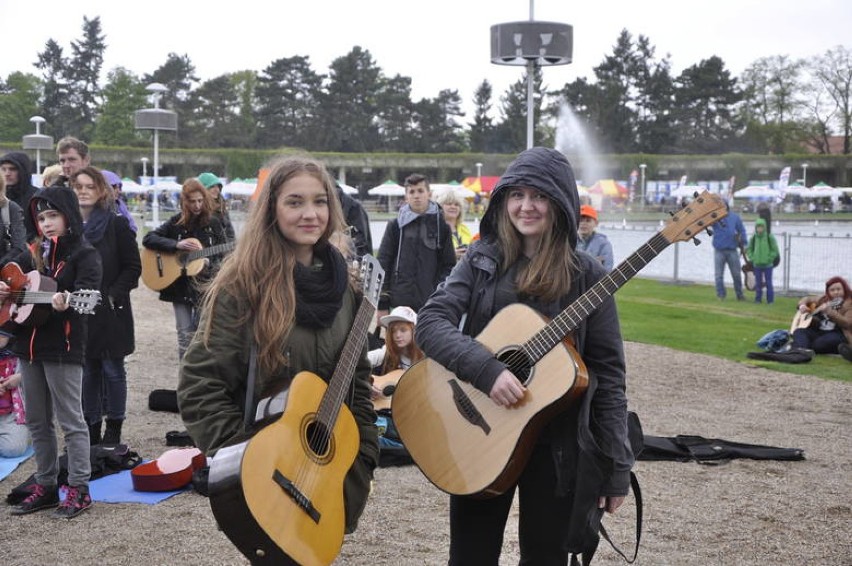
(633, 104)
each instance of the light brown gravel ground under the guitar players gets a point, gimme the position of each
(743, 512)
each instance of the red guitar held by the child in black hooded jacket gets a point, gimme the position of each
(29, 290)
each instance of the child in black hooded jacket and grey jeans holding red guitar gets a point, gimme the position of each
(52, 353)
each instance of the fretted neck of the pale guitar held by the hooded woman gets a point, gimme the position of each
(569, 319)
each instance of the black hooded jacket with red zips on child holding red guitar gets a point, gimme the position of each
(75, 265)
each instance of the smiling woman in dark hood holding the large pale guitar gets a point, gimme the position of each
(527, 254)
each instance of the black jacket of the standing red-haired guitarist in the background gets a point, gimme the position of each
(165, 238)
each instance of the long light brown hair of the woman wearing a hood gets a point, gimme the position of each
(548, 275)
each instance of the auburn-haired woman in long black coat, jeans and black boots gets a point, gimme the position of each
(111, 336)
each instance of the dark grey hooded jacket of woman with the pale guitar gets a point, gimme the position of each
(589, 442)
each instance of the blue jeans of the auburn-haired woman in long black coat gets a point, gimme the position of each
(104, 389)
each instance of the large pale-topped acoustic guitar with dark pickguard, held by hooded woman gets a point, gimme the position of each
(466, 444)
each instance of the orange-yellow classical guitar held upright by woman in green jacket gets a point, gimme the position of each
(279, 495)
